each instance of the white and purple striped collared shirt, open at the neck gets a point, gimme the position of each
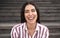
(20, 31)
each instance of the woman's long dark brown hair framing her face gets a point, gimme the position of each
(23, 9)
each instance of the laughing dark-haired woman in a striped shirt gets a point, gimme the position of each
(30, 26)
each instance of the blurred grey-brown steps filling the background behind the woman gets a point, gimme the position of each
(10, 15)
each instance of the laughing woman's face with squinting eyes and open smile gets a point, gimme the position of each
(30, 14)
